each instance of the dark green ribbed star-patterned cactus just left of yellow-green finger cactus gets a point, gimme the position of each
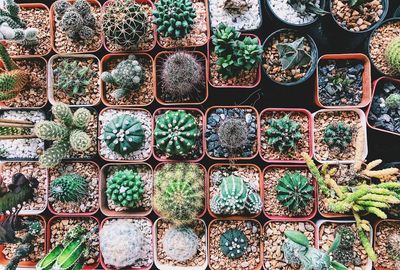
(294, 192)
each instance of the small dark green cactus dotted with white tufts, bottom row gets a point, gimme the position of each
(233, 243)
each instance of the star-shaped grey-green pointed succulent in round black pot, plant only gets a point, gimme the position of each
(293, 54)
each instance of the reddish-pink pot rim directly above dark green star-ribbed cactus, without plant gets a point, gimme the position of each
(310, 133)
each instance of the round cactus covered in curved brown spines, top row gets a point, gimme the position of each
(125, 23)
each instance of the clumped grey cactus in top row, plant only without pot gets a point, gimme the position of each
(77, 20)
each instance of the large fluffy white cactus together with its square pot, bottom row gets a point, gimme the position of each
(126, 243)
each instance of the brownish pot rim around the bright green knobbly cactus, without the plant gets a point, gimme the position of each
(103, 196)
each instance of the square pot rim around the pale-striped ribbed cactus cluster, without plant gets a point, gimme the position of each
(215, 167)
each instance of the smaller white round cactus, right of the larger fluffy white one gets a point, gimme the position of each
(180, 243)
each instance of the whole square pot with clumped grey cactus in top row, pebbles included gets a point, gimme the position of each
(75, 26)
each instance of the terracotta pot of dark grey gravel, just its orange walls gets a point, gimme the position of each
(366, 79)
